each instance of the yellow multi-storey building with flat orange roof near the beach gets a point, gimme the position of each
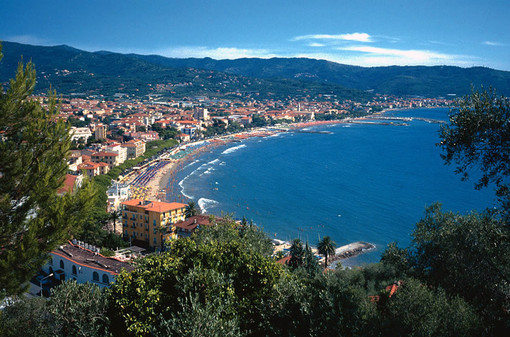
(151, 222)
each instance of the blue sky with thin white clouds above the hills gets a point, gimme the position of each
(367, 33)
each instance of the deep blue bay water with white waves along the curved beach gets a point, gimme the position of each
(357, 182)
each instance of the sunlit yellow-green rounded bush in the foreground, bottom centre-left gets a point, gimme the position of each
(154, 288)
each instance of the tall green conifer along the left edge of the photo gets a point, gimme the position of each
(34, 220)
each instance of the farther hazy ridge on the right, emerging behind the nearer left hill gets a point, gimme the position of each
(409, 80)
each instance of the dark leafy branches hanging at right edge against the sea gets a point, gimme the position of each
(478, 138)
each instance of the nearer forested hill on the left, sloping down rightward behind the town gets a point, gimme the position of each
(73, 71)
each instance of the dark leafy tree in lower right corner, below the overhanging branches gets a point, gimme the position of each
(467, 255)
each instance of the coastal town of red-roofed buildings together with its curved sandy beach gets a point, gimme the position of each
(107, 133)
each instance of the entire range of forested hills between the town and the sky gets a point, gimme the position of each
(71, 70)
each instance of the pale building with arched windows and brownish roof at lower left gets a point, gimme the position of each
(83, 263)
